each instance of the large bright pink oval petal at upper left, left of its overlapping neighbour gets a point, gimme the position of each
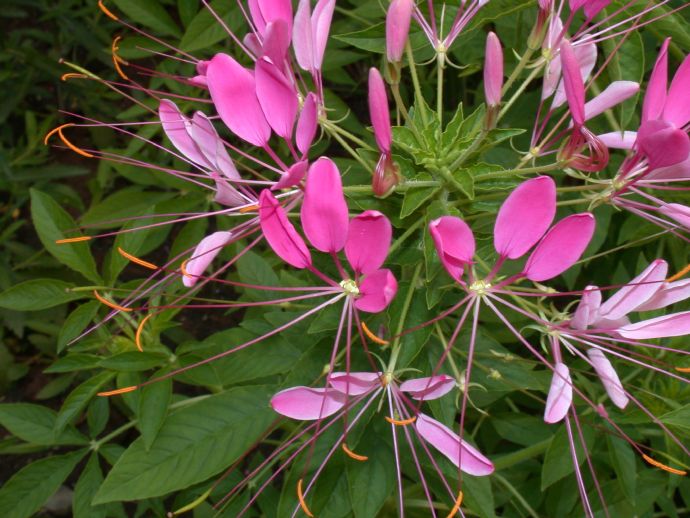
(233, 91)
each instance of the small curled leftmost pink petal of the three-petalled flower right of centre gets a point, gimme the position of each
(454, 243)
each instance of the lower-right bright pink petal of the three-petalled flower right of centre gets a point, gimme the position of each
(561, 247)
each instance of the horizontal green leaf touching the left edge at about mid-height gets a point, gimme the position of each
(37, 294)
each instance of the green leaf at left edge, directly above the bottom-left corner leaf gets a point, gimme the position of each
(36, 424)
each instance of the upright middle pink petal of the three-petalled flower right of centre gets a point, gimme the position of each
(525, 216)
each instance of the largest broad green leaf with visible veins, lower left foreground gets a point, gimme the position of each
(194, 443)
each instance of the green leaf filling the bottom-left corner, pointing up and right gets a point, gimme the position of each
(28, 489)
